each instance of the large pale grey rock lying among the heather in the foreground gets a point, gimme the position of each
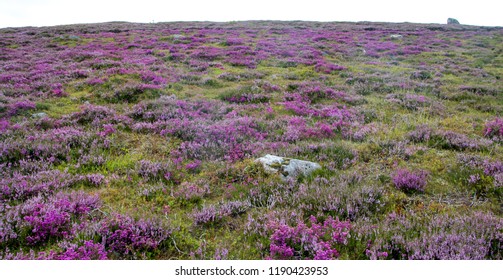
(288, 168)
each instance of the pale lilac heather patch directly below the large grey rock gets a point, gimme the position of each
(345, 196)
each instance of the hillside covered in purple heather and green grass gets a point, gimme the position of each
(137, 141)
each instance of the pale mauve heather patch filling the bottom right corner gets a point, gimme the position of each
(441, 237)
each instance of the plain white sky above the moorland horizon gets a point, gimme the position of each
(15, 13)
